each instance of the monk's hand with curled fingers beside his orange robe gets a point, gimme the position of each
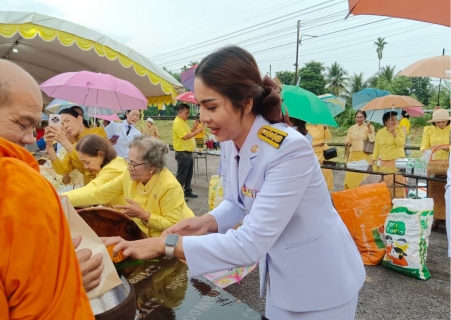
(91, 267)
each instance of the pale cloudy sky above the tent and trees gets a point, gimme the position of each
(171, 33)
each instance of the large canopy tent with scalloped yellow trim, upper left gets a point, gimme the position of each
(46, 46)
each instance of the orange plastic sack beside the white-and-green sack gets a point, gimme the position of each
(363, 210)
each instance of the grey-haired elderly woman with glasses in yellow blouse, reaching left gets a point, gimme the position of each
(154, 198)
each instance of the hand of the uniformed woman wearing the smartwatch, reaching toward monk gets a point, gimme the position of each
(140, 249)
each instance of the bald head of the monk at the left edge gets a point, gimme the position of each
(20, 103)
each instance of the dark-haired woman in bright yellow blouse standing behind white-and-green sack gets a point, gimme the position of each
(389, 146)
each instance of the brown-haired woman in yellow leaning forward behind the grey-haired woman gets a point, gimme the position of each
(100, 160)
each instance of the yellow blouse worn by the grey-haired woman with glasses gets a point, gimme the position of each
(165, 203)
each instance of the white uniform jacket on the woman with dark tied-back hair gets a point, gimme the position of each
(291, 226)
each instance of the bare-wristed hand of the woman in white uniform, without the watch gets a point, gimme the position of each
(193, 226)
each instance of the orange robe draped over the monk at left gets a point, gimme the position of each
(39, 273)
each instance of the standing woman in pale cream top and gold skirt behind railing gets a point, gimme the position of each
(355, 138)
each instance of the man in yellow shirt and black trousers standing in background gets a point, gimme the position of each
(184, 144)
